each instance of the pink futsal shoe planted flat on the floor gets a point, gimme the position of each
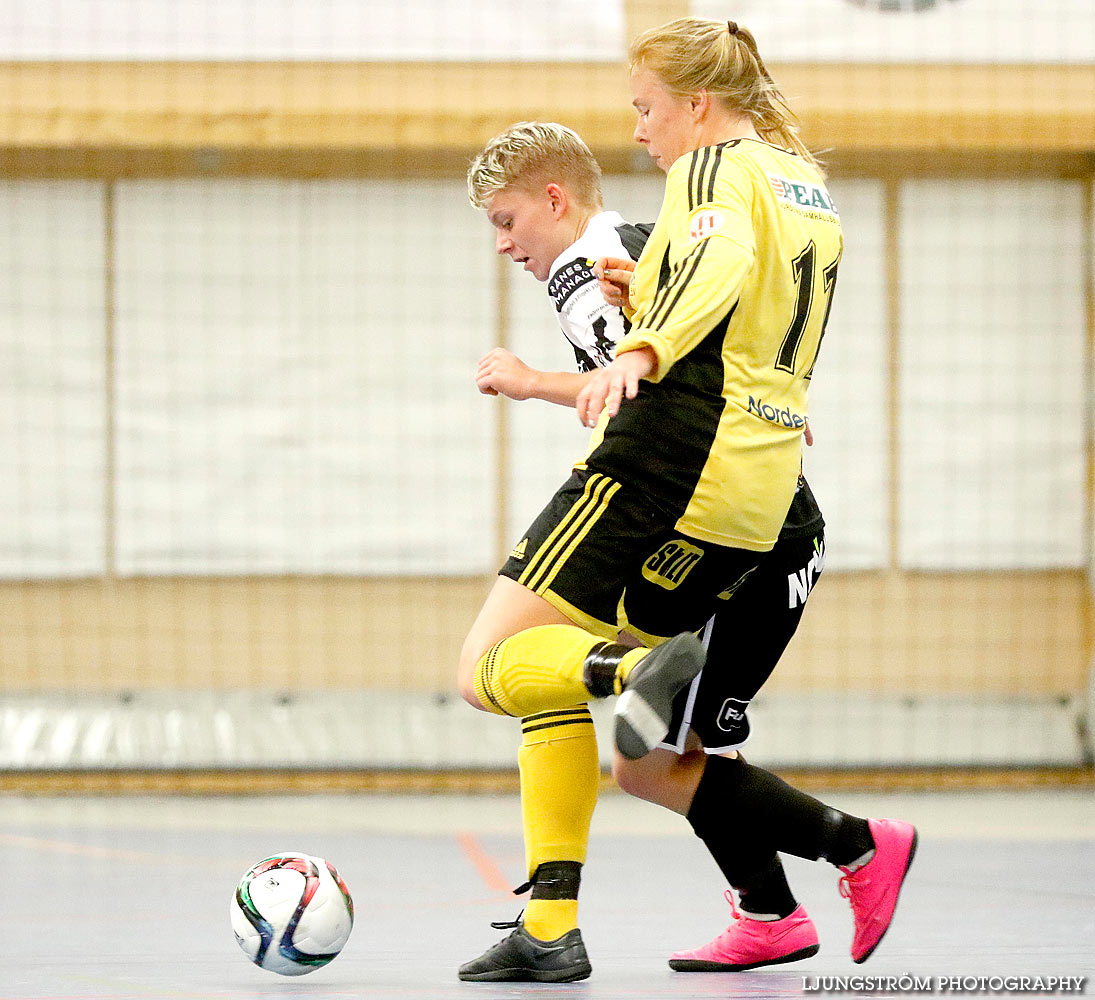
(750, 944)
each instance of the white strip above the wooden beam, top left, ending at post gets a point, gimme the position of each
(384, 30)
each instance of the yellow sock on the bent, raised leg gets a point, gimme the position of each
(541, 670)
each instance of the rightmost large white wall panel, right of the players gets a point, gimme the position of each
(993, 375)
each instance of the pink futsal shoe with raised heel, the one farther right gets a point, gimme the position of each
(873, 890)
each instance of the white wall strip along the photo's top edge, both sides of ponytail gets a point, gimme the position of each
(872, 31)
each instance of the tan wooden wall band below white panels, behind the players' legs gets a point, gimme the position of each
(908, 634)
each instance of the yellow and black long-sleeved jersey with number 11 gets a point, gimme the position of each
(732, 293)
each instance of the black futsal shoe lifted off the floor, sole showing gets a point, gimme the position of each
(646, 709)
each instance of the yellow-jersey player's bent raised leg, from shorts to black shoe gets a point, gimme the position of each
(543, 641)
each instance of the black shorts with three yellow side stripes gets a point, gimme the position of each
(609, 559)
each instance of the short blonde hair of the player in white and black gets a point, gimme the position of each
(531, 154)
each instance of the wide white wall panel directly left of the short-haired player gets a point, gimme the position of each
(295, 390)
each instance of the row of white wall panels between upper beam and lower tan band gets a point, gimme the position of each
(295, 366)
